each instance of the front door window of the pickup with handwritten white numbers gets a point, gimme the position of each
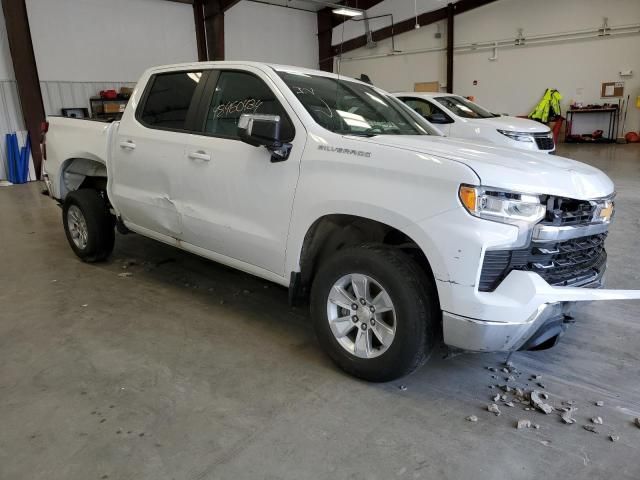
(240, 92)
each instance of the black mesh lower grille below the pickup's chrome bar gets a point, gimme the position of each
(574, 262)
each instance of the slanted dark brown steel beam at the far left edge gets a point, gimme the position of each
(26, 72)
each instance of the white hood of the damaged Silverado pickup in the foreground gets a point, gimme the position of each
(510, 169)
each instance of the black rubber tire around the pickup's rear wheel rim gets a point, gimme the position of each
(100, 225)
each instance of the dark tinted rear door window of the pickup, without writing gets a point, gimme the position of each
(168, 101)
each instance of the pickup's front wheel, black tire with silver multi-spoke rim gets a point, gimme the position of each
(374, 312)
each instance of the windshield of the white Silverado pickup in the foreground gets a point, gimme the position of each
(351, 108)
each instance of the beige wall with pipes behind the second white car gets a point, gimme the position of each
(514, 82)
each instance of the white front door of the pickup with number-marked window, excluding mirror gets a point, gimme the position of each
(235, 201)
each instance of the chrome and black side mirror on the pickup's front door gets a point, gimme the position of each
(262, 130)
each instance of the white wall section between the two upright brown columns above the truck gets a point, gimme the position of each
(270, 33)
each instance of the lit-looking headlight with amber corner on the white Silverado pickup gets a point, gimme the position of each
(502, 205)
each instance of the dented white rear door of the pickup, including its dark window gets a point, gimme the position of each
(149, 149)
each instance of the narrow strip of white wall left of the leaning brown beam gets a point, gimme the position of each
(10, 111)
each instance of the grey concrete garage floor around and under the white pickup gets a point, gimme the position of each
(189, 370)
